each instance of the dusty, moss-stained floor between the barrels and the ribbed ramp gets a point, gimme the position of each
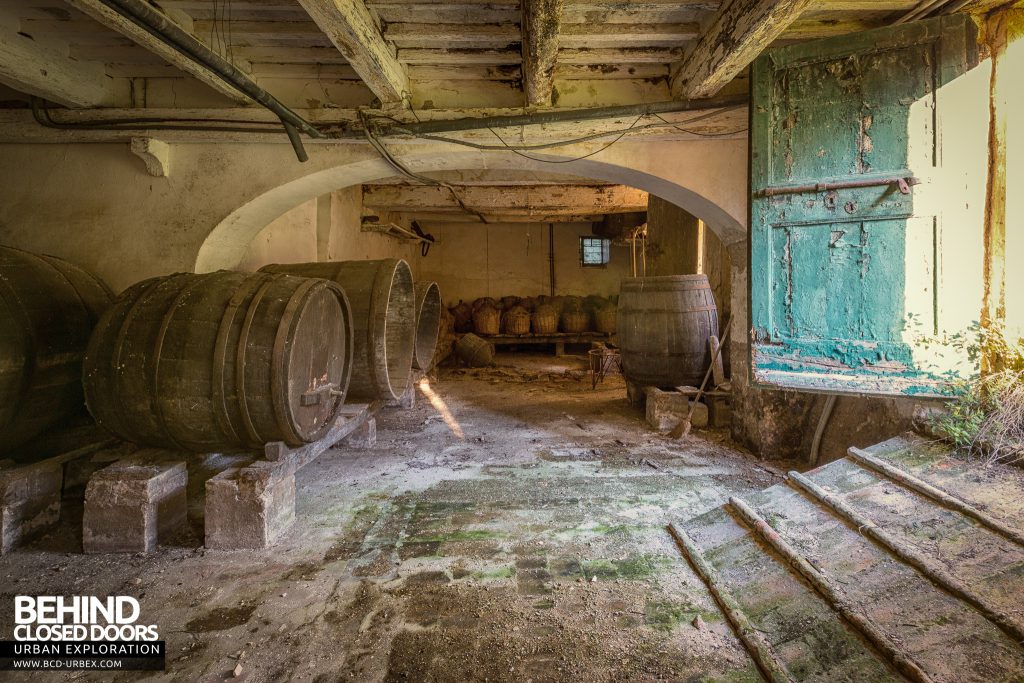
(533, 548)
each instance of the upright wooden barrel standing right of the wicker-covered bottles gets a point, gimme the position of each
(664, 325)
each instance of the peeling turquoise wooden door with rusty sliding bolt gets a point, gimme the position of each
(845, 259)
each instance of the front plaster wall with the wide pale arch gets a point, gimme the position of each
(97, 206)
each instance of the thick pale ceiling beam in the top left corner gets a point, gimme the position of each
(31, 66)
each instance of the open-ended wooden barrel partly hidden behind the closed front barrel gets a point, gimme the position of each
(385, 319)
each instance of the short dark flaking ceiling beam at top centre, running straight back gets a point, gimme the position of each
(541, 26)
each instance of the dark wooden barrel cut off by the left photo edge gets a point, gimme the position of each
(48, 311)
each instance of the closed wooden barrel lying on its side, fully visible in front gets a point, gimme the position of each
(222, 362)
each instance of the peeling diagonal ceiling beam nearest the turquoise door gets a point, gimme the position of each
(738, 34)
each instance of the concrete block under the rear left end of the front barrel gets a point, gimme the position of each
(132, 506)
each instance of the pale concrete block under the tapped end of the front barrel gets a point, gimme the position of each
(249, 508)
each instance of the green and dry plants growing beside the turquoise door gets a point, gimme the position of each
(986, 418)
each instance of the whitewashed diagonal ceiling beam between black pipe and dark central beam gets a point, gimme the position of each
(356, 34)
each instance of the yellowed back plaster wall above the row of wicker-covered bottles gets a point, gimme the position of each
(502, 260)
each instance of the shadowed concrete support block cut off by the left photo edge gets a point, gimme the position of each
(30, 501)
